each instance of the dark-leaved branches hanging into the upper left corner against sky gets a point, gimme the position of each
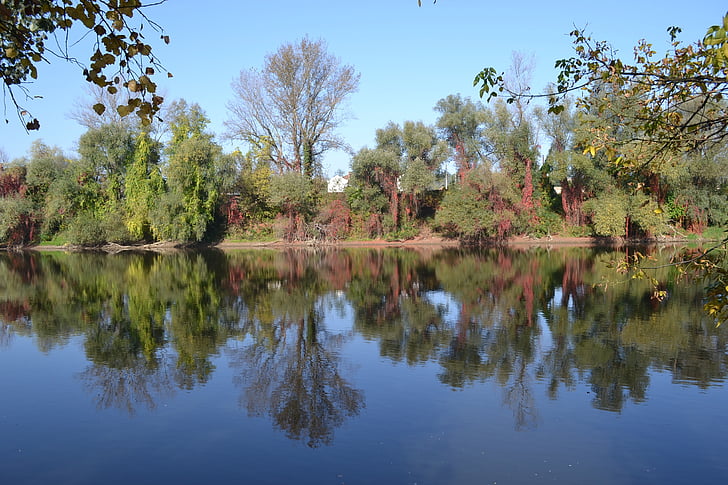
(34, 31)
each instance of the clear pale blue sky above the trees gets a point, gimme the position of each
(408, 57)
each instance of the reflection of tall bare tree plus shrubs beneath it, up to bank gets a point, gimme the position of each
(290, 366)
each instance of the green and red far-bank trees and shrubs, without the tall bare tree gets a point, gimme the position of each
(126, 185)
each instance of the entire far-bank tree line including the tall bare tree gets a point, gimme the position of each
(172, 181)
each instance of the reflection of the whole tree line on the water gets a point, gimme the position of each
(523, 318)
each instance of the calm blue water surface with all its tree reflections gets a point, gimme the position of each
(355, 367)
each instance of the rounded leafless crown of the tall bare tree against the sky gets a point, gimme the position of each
(291, 108)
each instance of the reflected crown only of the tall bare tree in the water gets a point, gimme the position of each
(295, 379)
